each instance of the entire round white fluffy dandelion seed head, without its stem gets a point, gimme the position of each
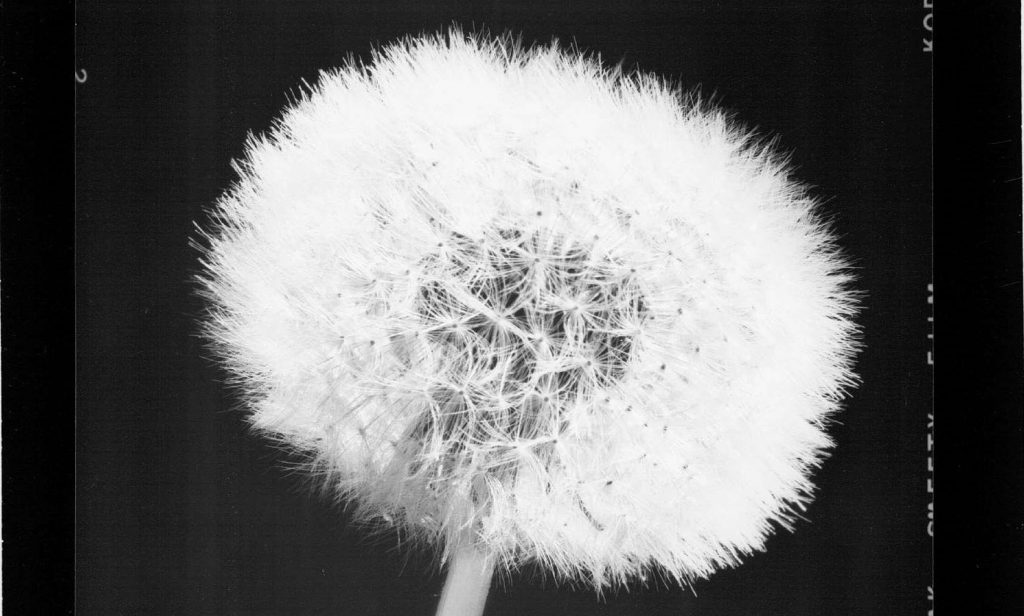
(513, 298)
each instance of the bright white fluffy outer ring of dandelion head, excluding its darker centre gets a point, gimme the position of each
(730, 394)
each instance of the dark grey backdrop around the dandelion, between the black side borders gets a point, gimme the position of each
(181, 511)
